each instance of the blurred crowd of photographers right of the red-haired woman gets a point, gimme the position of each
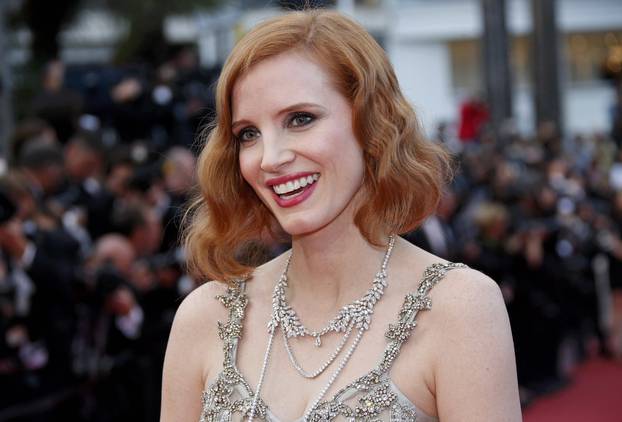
(543, 217)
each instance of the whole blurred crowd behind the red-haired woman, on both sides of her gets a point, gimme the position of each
(92, 198)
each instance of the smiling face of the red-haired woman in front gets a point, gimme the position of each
(297, 147)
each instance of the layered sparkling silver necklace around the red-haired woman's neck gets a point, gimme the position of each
(355, 315)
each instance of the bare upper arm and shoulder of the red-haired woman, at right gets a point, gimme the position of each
(475, 368)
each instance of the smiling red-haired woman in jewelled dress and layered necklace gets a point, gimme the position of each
(314, 139)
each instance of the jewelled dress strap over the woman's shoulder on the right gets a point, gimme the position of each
(398, 333)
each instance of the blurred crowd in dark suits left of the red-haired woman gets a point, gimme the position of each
(90, 208)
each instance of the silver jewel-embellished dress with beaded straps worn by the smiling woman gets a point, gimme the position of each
(370, 398)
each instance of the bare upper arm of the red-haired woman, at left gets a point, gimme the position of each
(190, 343)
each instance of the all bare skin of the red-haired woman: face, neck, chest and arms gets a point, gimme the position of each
(458, 364)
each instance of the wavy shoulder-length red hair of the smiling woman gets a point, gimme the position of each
(404, 173)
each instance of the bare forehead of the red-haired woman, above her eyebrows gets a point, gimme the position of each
(280, 81)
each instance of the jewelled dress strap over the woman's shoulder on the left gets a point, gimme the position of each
(235, 300)
